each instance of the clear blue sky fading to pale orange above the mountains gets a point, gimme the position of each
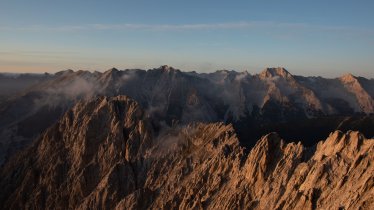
(312, 37)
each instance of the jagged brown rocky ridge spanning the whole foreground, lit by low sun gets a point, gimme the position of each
(105, 154)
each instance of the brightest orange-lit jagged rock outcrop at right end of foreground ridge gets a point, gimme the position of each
(336, 175)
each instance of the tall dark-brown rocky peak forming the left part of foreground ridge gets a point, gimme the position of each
(87, 159)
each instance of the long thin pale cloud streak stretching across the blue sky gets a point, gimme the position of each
(197, 26)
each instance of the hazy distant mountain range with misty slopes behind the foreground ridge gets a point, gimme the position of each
(170, 96)
